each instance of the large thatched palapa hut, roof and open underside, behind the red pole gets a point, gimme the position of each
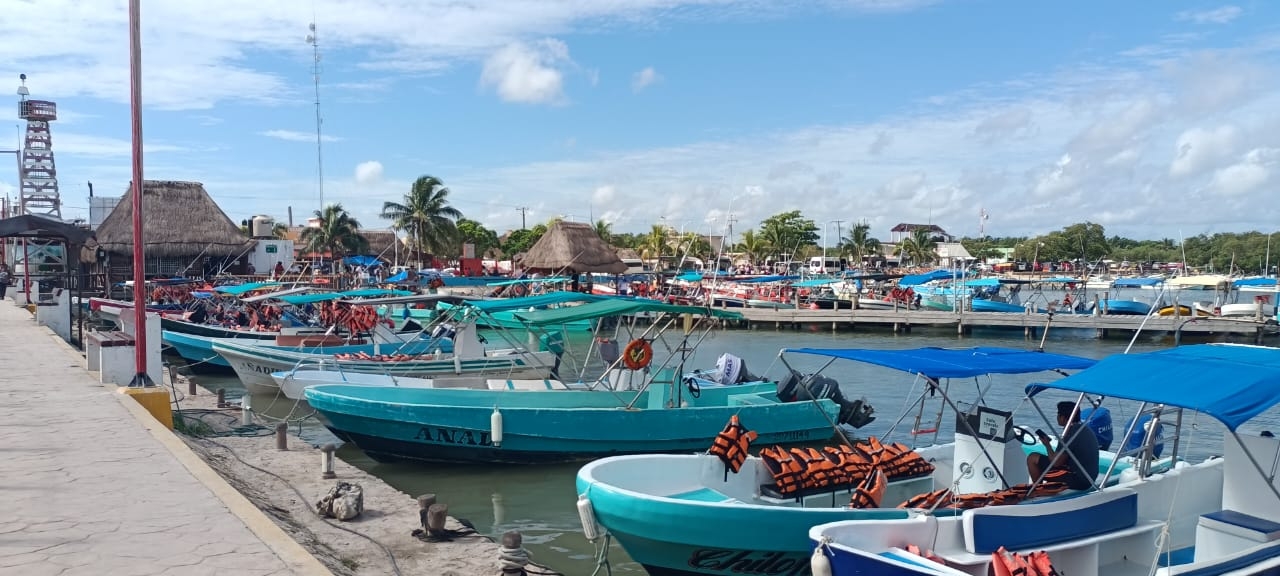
(182, 228)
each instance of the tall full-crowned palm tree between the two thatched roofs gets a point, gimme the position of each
(426, 216)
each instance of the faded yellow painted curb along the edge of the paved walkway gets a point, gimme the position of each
(294, 555)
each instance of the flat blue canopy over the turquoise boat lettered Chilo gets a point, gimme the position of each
(956, 363)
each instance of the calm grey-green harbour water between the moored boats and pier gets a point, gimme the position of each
(540, 501)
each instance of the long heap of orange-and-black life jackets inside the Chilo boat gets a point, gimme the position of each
(798, 470)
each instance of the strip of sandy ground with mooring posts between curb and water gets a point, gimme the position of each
(390, 516)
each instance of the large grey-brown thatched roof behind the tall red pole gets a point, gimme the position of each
(179, 220)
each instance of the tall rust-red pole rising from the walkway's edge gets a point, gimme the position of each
(140, 290)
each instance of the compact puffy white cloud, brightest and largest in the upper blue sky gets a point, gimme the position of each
(528, 72)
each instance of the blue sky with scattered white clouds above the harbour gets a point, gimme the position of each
(1158, 120)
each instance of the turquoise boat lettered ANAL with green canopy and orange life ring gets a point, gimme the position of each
(666, 414)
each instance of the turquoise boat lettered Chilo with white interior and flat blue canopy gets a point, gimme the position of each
(737, 523)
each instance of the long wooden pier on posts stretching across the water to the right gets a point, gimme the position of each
(1032, 324)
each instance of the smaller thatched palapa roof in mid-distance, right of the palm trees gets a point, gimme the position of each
(573, 246)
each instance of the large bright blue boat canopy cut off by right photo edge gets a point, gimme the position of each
(1233, 383)
